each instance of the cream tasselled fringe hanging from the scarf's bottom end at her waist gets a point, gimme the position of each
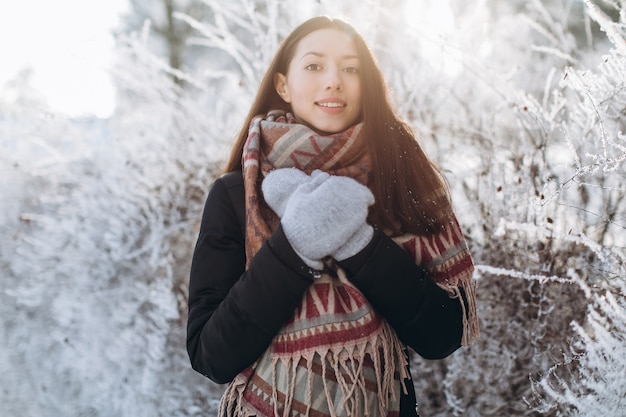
(346, 363)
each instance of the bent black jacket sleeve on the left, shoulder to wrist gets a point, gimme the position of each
(235, 313)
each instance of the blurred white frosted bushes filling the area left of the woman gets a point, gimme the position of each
(94, 278)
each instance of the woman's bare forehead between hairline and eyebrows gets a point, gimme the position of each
(326, 42)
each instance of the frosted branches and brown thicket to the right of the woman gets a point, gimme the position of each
(550, 200)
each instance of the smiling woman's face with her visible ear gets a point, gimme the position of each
(322, 84)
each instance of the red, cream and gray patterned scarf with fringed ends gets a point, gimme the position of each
(336, 356)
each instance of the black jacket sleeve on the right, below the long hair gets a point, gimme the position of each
(422, 314)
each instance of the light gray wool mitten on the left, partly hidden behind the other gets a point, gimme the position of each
(278, 186)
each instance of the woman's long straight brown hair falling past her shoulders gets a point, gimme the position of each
(410, 192)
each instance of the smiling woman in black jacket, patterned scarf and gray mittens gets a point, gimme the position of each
(327, 247)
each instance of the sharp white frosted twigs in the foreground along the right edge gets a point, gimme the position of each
(592, 378)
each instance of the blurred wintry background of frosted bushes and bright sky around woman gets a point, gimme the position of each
(115, 118)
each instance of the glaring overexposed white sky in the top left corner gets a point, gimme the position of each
(68, 44)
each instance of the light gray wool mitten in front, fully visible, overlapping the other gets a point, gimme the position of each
(327, 216)
